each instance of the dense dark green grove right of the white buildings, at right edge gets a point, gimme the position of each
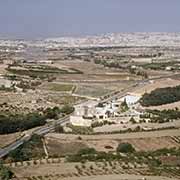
(161, 96)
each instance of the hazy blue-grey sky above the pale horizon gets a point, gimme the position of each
(52, 18)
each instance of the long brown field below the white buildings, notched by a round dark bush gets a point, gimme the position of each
(67, 144)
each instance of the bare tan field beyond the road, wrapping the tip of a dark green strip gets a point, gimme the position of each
(91, 72)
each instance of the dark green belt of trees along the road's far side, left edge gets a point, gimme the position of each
(10, 123)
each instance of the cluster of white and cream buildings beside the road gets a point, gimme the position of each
(86, 113)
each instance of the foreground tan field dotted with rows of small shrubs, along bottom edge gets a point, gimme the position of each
(54, 169)
